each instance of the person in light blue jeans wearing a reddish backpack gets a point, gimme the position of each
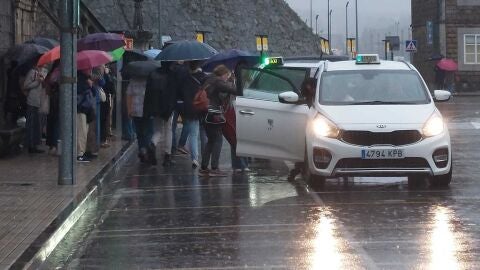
(190, 82)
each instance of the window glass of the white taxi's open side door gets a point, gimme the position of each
(265, 86)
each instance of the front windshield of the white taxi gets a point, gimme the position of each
(372, 87)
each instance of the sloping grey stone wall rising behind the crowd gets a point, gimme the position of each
(233, 24)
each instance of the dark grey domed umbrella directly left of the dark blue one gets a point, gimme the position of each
(186, 51)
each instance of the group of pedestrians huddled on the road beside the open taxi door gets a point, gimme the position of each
(169, 94)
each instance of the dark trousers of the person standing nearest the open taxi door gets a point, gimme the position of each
(213, 146)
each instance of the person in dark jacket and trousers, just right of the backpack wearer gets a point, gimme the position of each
(218, 89)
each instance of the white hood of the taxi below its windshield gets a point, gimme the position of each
(378, 114)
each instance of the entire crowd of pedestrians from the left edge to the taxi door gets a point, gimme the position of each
(155, 103)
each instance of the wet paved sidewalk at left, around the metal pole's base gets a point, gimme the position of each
(31, 201)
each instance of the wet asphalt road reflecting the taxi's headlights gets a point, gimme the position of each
(152, 218)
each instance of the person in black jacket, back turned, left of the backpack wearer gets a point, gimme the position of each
(160, 100)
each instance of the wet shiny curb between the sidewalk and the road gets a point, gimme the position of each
(37, 252)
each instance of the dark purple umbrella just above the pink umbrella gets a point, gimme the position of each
(101, 41)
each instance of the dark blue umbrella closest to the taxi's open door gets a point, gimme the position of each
(230, 59)
